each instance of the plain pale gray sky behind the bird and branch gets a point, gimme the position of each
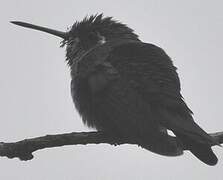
(35, 86)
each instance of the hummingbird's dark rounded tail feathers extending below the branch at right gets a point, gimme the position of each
(201, 150)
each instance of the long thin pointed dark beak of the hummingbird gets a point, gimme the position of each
(61, 34)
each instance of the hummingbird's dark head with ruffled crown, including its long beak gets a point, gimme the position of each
(87, 34)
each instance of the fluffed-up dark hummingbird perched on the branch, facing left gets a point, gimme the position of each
(128, 88)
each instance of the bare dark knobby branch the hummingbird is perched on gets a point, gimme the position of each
(24, 149)
